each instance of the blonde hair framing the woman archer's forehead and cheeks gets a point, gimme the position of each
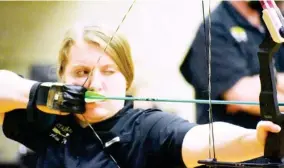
(115, 46)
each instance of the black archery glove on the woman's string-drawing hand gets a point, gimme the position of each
(56, 96)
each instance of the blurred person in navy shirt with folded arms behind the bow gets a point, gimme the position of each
(237, 30)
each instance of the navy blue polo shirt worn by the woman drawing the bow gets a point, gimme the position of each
(133, 137)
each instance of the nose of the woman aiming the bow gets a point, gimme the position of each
(95, 81)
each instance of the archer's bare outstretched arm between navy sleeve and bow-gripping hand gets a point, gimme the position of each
(232, 143)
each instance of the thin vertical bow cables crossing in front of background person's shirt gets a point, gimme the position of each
(208, 52)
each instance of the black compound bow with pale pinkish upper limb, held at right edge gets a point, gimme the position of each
(274, 147)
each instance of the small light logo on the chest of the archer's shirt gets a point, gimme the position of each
(60, 133)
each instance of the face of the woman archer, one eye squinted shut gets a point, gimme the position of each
(106, 79)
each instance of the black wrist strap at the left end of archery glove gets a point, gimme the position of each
(31, 107)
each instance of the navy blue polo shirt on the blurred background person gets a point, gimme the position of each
(234, 46)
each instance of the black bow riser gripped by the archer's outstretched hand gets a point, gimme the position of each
(269, 110)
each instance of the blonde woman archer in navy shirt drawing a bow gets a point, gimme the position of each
(67, 130)
